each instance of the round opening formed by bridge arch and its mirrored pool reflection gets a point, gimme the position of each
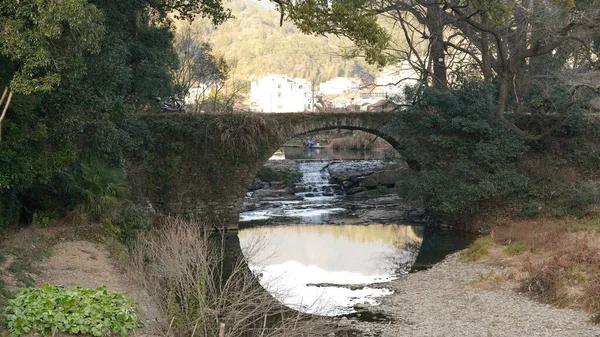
(315, 243)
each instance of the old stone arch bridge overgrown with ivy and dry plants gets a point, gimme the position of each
(200, 165)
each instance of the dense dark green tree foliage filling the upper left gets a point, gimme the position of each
(92, 67)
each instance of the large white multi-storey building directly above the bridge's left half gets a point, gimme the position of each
(279, 93)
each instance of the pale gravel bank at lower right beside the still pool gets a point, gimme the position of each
(440, 302)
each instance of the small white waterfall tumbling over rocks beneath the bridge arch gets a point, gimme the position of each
(315, 181)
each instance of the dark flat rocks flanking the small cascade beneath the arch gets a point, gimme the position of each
(367, 187)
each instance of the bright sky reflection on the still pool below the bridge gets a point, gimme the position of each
(290, 257)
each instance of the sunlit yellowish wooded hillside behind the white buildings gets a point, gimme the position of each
(254, 44)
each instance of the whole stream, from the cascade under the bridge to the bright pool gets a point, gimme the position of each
(316, 253)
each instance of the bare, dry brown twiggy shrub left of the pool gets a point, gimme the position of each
(184, 270)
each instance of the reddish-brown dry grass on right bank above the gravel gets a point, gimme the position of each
(555, 260)
